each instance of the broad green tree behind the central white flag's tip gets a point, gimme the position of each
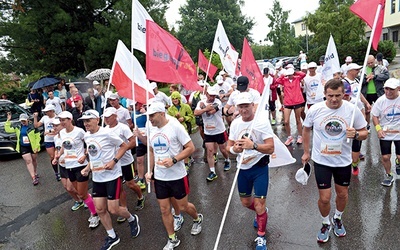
(200, 19)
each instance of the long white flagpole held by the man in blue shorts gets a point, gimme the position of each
(259, 107)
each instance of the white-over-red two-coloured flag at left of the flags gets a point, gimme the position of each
(122, 72)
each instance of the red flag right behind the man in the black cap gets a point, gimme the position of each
(250, 68)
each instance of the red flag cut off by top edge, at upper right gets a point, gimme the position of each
(366, 10)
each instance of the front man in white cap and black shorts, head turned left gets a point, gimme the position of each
(170, 144)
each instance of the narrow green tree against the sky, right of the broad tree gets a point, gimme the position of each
(280, 35)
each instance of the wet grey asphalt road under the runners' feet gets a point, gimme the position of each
(40, 217)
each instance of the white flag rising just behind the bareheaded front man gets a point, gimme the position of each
(331, 64)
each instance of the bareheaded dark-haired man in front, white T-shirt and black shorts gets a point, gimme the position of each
(331, 153)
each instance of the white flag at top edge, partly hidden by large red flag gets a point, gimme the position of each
(139, 17)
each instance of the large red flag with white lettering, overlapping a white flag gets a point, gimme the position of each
(166, 59)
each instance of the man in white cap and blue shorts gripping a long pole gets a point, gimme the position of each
(256, 145)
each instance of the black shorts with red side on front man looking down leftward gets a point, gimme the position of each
(178, 189)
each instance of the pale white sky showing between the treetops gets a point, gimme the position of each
(256, 9)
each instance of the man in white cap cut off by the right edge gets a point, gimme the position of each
(385, 116)
